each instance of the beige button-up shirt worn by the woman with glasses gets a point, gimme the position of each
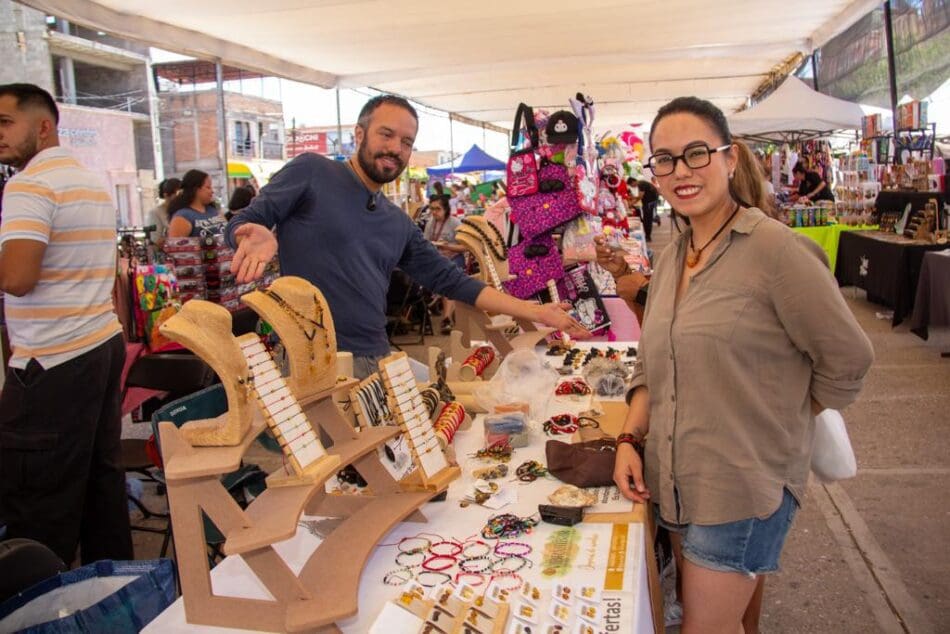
(731, 371)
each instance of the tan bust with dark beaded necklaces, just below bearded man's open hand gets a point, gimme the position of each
(307, 375)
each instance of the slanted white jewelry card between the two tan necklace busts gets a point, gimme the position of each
(293, 431)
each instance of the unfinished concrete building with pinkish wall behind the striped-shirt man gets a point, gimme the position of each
(104, 95)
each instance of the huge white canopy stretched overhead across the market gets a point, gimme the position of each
(479, 59)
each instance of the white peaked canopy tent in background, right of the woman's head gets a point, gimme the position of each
(795, 111)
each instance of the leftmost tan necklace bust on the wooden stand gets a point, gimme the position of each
(205, 329)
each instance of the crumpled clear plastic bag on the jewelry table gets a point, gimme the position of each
(521, 377)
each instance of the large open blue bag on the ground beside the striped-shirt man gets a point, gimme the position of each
(107, 596)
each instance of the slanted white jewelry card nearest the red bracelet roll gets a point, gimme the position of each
(412, 415)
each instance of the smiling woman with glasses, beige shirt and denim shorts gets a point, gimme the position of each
(745, 337)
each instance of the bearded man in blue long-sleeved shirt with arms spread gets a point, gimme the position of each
(335, 229)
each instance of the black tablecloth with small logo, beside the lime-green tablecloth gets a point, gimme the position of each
(885, 265)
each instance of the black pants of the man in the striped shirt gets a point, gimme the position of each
(61, 476)
